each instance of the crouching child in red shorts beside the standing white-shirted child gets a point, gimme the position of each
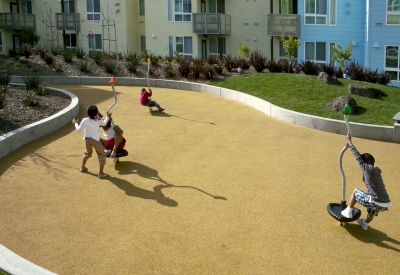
(114, 139)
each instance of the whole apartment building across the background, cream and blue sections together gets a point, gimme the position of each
(202, 28)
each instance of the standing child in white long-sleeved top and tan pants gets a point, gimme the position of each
(91, 136)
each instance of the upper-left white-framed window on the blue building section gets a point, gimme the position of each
(315, 12)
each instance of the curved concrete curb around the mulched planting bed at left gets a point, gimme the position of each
(15, 139)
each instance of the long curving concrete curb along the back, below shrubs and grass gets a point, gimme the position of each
(367, 131)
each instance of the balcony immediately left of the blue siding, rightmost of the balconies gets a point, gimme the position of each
(283, 24)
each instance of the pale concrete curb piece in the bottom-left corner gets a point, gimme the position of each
(14, 264)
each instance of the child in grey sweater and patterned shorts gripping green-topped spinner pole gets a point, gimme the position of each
(376, 192)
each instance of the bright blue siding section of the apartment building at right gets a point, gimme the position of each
(373, 26)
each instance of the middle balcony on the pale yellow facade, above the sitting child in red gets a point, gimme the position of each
(211, 23)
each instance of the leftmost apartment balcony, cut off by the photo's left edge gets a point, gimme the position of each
(17, 21)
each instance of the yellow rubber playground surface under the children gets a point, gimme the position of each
(211, 186)
